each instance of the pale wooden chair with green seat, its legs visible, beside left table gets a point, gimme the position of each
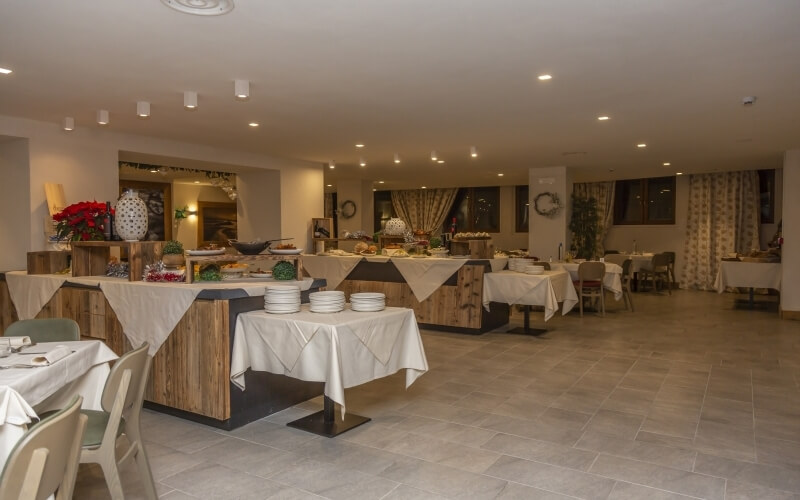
(121, 415)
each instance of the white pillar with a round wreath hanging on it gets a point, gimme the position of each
(546, 232)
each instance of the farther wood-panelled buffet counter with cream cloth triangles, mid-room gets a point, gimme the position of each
(445, 293)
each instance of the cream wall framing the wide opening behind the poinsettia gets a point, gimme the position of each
(85, 163)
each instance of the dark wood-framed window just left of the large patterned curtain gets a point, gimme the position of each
(645, 201)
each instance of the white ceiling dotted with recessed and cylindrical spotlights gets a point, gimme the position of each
(411, 76)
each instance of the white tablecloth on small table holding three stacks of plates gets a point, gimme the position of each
(343, 350)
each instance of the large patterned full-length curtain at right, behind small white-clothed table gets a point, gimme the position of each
(723, 218)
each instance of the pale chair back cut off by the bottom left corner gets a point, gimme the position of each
(44, 462)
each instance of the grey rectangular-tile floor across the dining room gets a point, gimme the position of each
(685, 398)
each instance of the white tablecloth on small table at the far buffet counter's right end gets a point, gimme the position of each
(547, 290)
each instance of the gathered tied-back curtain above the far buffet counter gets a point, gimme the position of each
(423, 209)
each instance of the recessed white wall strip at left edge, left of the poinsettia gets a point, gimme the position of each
(15, 196)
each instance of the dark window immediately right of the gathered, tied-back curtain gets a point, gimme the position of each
(476, 209)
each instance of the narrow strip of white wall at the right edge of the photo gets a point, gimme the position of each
(790, 254)
